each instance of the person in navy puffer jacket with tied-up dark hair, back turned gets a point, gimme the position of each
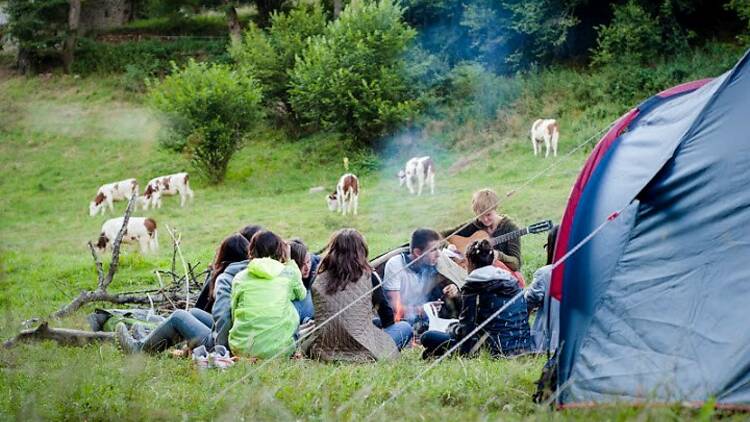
(487, 289)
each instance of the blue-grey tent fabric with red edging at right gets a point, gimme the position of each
(653, 307)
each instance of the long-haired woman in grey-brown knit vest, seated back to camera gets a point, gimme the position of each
(345, 277)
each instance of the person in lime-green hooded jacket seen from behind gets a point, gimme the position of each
(264, 318)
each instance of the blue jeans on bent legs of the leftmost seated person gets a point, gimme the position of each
(193, 326)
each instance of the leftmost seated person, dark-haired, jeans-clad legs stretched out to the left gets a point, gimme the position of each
(194, 326)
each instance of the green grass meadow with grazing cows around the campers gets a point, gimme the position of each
(61, 138)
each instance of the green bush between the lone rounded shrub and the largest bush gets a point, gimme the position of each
(269, 55)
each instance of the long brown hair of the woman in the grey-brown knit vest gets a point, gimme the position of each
(345, 259)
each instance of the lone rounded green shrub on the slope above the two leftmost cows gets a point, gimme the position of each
(209, 108)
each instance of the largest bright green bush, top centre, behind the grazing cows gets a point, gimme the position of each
(352, 78)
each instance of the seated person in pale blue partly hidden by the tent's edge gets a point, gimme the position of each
(545, 332)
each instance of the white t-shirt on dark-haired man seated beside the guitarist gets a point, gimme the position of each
(415, 286)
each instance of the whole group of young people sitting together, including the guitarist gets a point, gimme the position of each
(264, 295)
